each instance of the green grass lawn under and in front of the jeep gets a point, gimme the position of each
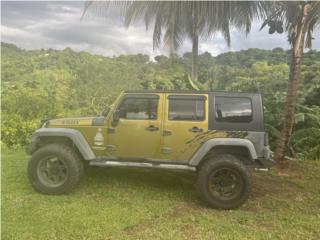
(113, 203)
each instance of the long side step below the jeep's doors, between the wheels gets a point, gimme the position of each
(108, 163)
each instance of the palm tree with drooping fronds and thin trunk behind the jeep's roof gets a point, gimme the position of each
(191, 19)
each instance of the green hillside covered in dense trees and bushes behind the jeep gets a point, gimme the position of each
(38, 84)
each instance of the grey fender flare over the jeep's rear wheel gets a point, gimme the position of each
(208, 145)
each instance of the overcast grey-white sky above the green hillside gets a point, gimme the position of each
(57, 25)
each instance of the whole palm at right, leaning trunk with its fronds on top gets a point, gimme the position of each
(300, 19)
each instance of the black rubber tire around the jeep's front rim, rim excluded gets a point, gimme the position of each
(68, 156)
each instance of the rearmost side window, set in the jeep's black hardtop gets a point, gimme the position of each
(233, 109)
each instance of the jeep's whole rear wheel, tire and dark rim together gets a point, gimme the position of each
(224, 182)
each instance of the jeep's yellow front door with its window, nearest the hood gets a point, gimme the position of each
(137, 132)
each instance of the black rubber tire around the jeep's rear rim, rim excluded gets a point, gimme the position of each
(224, 161)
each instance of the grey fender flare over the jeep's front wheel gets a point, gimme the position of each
(74, 135)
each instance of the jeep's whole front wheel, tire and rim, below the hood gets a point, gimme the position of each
(55, 169)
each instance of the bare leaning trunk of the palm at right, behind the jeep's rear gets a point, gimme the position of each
(292, 92)
